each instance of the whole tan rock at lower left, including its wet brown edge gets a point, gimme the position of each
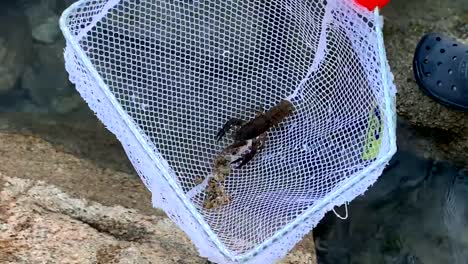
(58, 206)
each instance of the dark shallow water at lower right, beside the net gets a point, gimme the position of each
(415, 213)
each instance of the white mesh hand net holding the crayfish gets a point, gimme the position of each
(165, 76)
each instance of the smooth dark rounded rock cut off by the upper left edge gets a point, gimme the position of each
(15, 47)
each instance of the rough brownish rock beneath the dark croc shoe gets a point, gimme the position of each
(405, 23)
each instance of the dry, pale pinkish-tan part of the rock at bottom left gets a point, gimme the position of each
(40, 223)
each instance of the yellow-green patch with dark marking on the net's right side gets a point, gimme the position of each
(374, 134)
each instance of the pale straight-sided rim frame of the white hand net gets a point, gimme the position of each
(151, 151)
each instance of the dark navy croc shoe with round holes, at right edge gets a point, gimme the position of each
(440, 67)
